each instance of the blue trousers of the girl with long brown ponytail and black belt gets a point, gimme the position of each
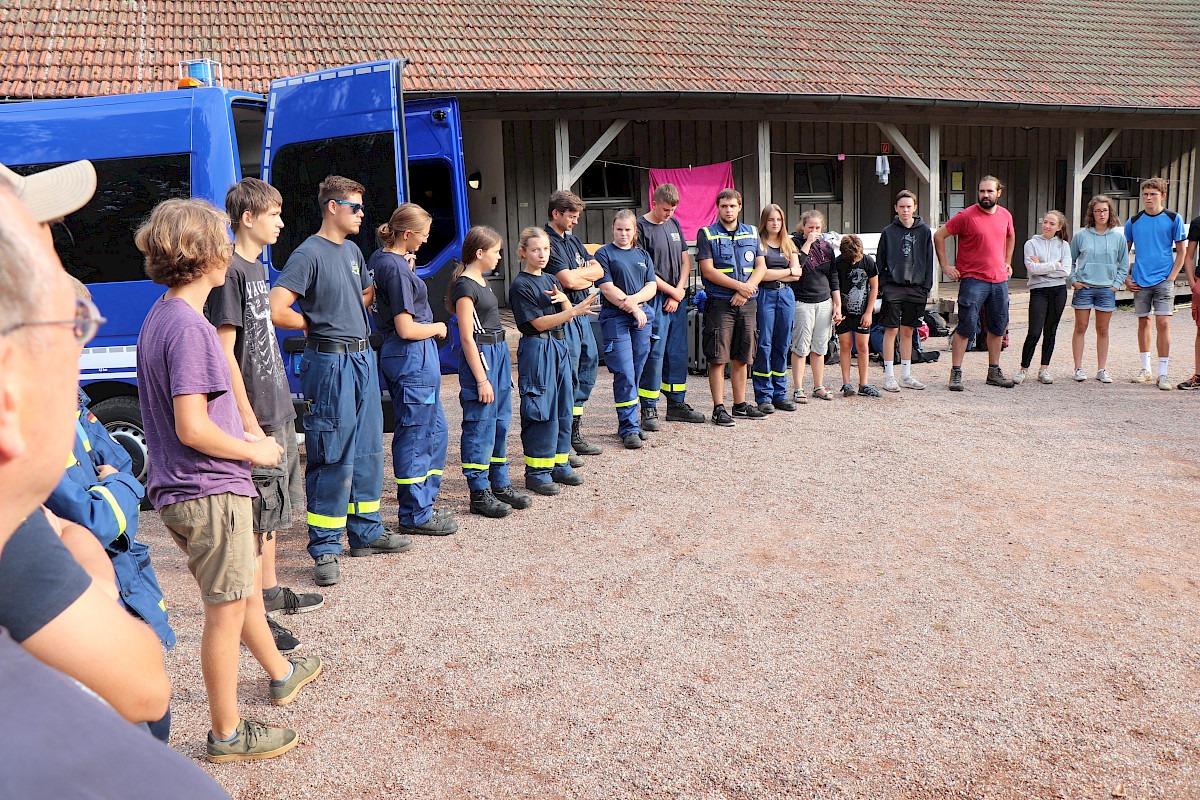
(485, 426)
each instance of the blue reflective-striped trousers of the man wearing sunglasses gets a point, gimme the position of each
(344, 442)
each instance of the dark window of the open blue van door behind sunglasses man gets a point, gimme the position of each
(297, 171)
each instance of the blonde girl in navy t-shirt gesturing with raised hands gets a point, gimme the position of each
(541, 310)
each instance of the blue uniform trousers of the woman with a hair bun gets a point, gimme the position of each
(419, 443)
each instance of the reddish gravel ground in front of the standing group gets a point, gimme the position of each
(929, 596)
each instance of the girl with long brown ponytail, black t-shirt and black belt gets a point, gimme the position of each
(485, 378)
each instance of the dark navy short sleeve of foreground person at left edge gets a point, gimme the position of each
(39, 581)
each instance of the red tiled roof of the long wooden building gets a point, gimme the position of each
(1057, 52)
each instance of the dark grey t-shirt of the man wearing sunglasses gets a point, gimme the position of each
(331, 280)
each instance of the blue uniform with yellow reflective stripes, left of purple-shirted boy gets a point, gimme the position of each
(110, 510)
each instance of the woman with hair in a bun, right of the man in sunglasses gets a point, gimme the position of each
(409, 360)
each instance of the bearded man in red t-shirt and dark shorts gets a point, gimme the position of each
(985, 264)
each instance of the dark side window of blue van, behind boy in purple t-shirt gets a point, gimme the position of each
(97, 243)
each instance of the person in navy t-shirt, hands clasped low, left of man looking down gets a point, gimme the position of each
(628, 286)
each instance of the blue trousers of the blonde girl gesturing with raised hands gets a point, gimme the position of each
(544, 380)
